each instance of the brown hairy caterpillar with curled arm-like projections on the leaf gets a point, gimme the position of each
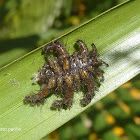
(66, 73)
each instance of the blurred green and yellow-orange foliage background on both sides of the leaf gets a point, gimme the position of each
(28, 24)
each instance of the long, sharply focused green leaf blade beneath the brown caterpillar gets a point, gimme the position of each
(116, 34)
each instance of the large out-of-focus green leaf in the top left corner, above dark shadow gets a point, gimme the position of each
(25, 18)
